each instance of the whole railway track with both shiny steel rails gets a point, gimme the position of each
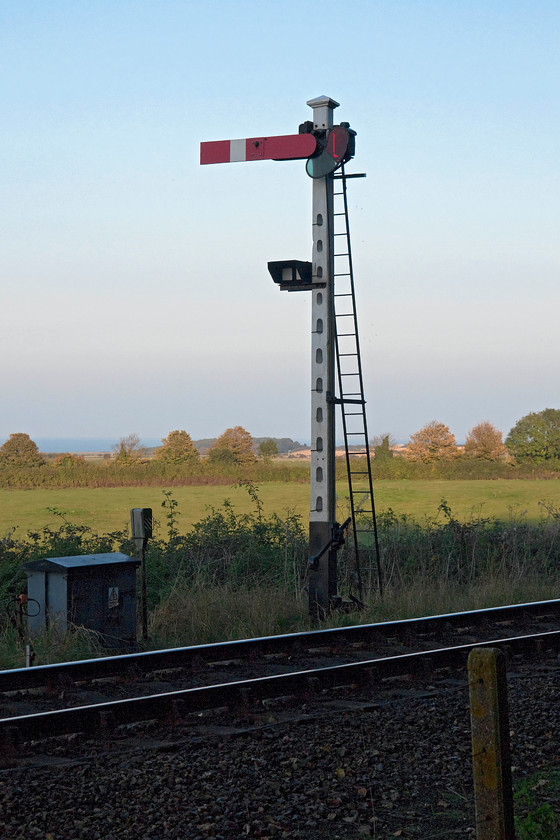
(100, 695)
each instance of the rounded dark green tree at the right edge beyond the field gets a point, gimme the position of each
(536, 438)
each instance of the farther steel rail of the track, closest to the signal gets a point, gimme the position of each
(105, 667)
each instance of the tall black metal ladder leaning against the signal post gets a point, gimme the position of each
(351, 390)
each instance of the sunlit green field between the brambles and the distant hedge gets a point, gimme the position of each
(107, 509)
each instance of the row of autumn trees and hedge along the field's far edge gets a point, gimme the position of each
(531, 447)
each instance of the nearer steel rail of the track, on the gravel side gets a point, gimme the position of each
(174, 705)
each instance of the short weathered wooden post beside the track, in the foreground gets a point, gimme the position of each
(490, 745)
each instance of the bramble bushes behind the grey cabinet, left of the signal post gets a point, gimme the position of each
(224, 547)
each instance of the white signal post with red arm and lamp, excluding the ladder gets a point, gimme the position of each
(325, 147)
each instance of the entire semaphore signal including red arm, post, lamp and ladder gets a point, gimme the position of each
(334, 335)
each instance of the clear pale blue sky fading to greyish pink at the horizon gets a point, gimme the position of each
(134, 291)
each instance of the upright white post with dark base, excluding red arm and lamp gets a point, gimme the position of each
(322, 577)
